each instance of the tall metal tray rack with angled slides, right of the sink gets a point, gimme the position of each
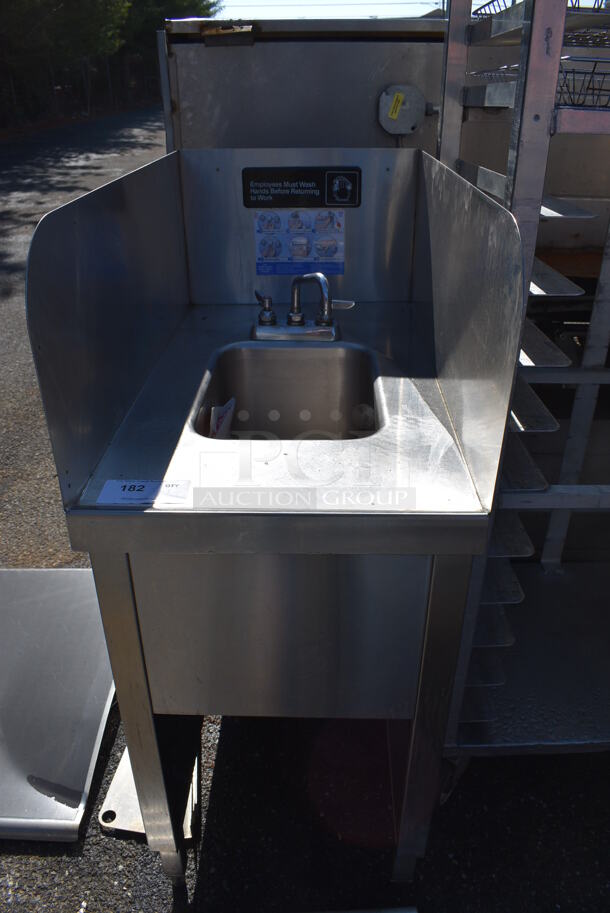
(558, 101)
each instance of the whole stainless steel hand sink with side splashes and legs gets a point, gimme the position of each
(317, 562)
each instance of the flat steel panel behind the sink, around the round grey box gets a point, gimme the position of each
(299, 93)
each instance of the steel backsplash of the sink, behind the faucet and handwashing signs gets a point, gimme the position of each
(220, 230)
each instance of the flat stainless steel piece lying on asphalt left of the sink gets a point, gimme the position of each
(57, 689)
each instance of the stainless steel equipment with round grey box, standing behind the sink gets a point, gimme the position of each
(302, 83)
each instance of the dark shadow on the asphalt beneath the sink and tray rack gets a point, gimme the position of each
(299, 819)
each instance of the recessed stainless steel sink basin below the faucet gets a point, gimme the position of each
(292, 391)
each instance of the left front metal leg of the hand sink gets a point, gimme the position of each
(115, 594)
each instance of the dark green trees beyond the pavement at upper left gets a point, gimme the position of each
(74, 57)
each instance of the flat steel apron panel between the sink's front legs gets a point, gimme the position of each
(271, 635)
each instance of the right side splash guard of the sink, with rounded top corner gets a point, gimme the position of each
(477, 293)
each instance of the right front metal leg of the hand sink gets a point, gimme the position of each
(419, 759)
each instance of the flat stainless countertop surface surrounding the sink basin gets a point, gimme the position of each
(412, 463)
